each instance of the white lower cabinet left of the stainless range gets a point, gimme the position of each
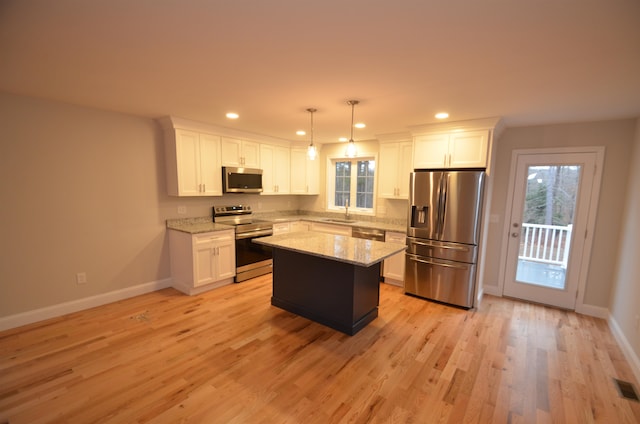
(201, 262)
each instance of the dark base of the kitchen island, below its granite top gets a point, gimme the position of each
(340, 295)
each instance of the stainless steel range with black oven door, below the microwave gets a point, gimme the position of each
(252, 259)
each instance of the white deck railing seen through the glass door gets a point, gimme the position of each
(545, 243)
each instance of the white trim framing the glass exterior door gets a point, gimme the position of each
(591, 220)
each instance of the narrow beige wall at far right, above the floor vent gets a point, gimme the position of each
(625, 296)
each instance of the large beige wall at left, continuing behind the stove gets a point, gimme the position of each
(83, 190)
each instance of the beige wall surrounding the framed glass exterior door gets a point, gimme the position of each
(617, 137)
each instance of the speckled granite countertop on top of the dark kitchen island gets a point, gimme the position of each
(339, 248)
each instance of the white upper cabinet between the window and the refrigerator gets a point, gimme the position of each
(395, 167)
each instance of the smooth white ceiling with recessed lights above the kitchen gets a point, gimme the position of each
(528, 61)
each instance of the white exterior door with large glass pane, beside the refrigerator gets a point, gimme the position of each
(548, 221)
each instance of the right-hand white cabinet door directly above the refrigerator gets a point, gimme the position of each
(468, 149)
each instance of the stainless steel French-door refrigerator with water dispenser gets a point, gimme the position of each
(443, 231)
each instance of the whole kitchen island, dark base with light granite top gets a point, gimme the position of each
(330, 279)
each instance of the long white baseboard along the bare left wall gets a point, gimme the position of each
(29, 317)
